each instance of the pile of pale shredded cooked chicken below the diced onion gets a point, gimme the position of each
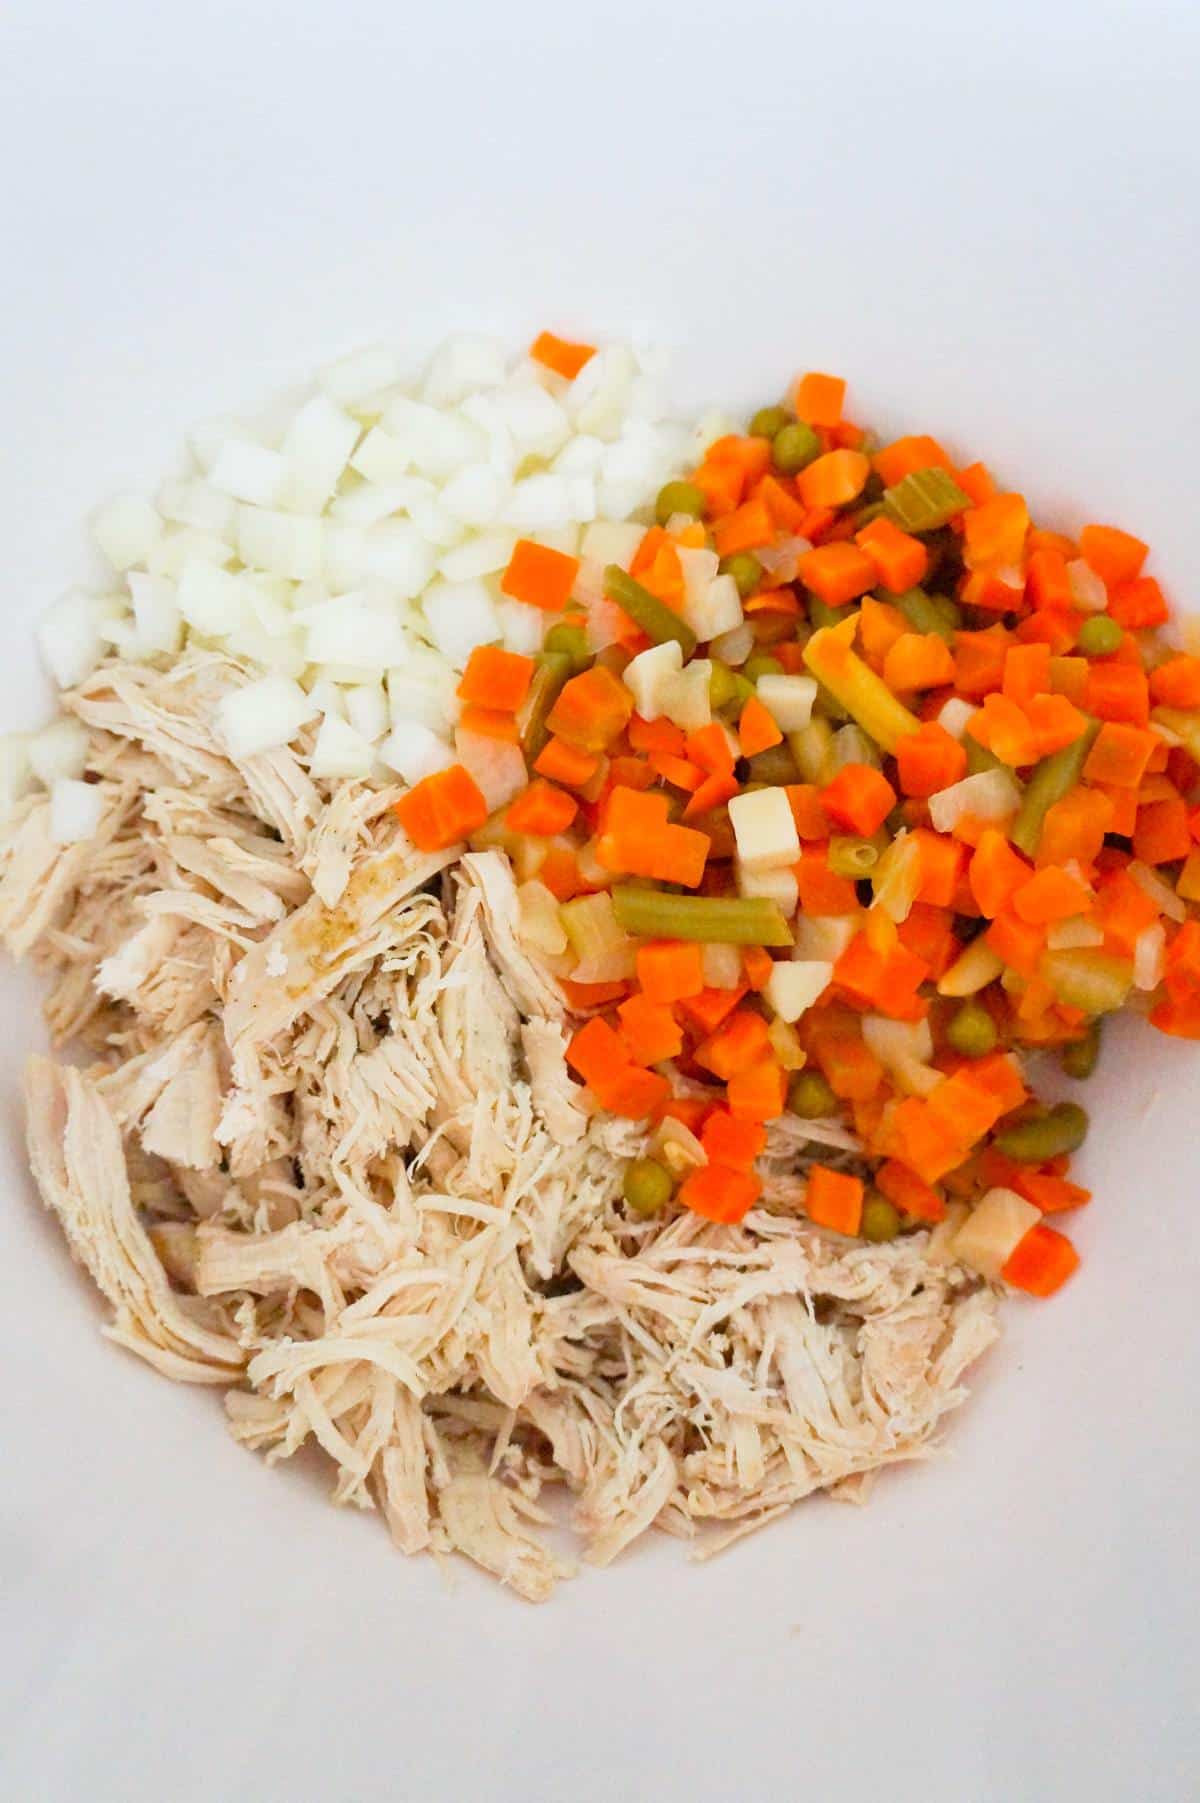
(320, 1146)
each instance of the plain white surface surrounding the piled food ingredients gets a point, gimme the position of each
(986, 217)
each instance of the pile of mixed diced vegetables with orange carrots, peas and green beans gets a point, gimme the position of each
(850, 787)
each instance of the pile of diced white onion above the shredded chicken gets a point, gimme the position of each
(349, 551)
